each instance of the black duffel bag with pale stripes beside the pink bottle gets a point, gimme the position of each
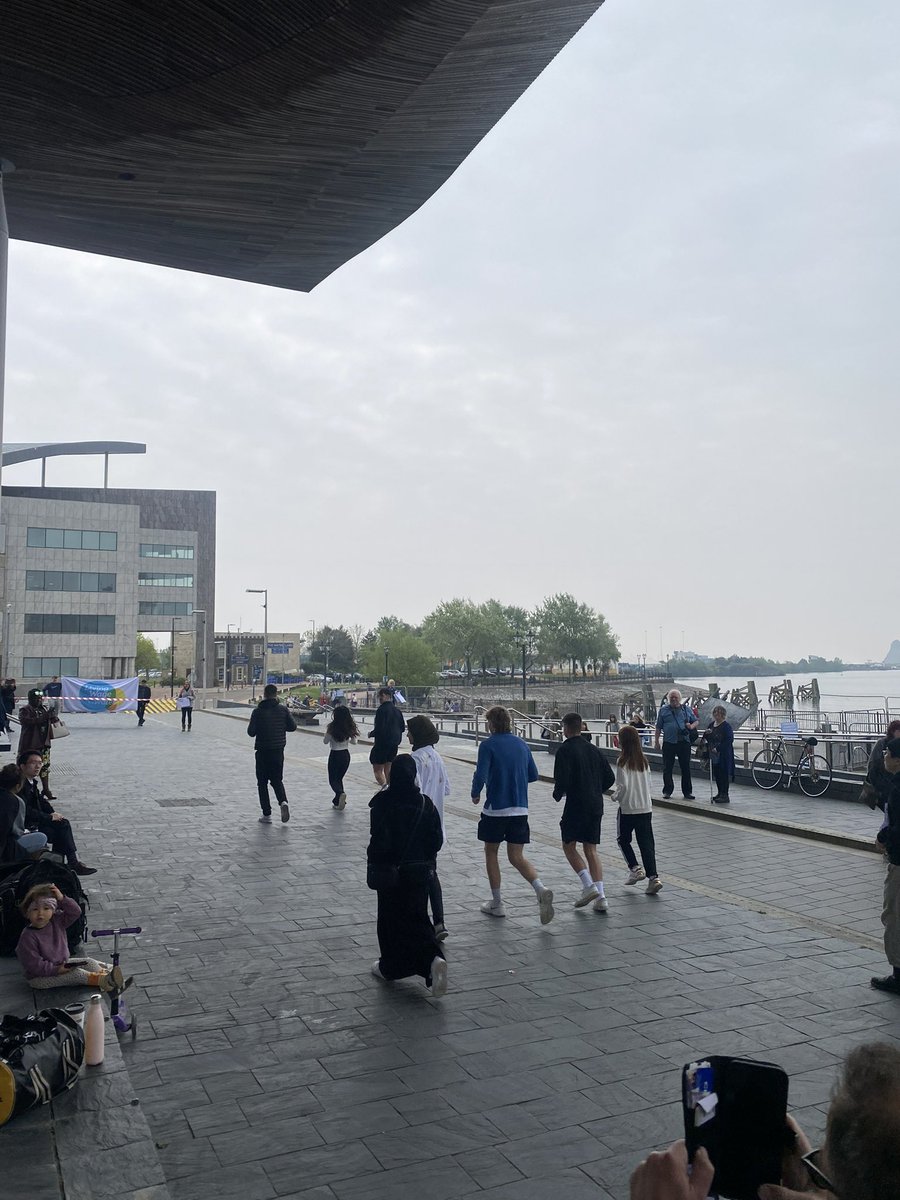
(40, 1058)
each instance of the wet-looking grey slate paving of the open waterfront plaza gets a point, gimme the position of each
(271, 1063)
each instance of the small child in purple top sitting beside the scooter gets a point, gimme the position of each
(43, 949)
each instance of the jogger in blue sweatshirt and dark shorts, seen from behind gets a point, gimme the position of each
(505, 770)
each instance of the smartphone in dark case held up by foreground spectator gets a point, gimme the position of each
(737, 1111)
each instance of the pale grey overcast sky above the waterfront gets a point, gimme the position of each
(641, 347)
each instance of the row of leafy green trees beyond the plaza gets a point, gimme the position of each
(461, 633)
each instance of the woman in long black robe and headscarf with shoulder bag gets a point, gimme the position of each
(405, 841)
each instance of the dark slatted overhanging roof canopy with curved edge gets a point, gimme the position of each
(267, 142)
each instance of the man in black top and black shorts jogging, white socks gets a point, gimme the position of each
(581, 776)
